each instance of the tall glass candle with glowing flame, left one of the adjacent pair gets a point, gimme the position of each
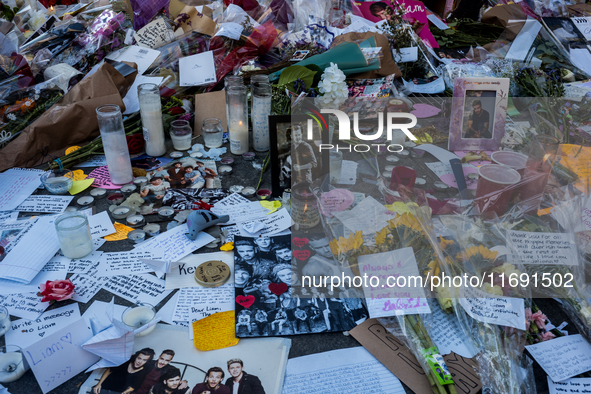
(237, 119)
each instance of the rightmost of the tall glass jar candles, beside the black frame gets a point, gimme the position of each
(261, 109)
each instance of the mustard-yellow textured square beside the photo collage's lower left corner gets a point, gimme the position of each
(214, 332)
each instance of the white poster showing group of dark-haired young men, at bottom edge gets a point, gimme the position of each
(165, 363)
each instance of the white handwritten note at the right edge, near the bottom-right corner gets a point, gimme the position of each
(563, 357)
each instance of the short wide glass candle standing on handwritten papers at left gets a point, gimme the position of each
(73, 233)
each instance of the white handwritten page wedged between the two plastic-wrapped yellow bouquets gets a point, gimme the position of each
(446, 333)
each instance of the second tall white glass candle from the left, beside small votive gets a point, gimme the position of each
(151, 111)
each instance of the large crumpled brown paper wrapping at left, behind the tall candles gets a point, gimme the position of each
(71, 121)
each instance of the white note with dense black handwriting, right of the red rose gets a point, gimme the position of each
(134, 288)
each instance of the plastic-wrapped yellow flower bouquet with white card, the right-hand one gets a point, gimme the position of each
(489, 307)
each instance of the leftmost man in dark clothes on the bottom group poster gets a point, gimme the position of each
(127, 377)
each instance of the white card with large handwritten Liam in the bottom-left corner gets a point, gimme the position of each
(59, 357)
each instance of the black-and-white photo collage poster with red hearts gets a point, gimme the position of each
(265, 304)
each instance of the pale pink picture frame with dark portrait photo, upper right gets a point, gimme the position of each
(479, 110)
